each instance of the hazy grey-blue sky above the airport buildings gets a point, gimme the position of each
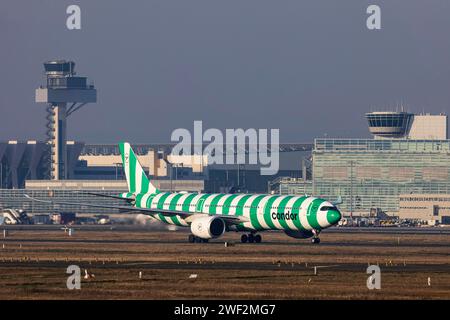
(309, 68)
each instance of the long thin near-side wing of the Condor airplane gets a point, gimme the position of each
(231, 219)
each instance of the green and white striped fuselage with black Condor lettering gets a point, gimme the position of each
(263, 212)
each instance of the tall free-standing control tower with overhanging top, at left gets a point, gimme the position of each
(64, 94)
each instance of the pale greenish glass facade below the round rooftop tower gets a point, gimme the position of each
(373, 173)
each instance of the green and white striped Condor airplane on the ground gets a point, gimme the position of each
(209, 216)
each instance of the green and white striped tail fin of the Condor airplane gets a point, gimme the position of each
(137, 180)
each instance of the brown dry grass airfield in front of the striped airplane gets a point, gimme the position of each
(33, 266)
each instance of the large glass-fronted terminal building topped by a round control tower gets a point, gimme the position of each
(405, 157)
